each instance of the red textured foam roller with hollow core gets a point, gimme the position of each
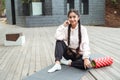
(102, 62)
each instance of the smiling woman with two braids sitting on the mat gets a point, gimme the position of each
(72, 44)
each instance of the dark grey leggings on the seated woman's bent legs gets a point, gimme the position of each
(60, 50)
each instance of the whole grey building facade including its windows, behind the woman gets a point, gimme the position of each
(37, 13)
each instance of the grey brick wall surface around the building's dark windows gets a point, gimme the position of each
(56, 13)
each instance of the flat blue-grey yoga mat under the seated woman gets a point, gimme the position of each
(66, 73)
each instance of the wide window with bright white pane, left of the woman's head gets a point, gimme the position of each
(41, 7)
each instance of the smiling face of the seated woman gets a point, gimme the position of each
(73, 19)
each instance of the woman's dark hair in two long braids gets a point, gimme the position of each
(79, 30)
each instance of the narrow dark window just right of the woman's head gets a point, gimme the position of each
(85, 7)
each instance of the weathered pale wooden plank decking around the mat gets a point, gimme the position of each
(17, 62)
